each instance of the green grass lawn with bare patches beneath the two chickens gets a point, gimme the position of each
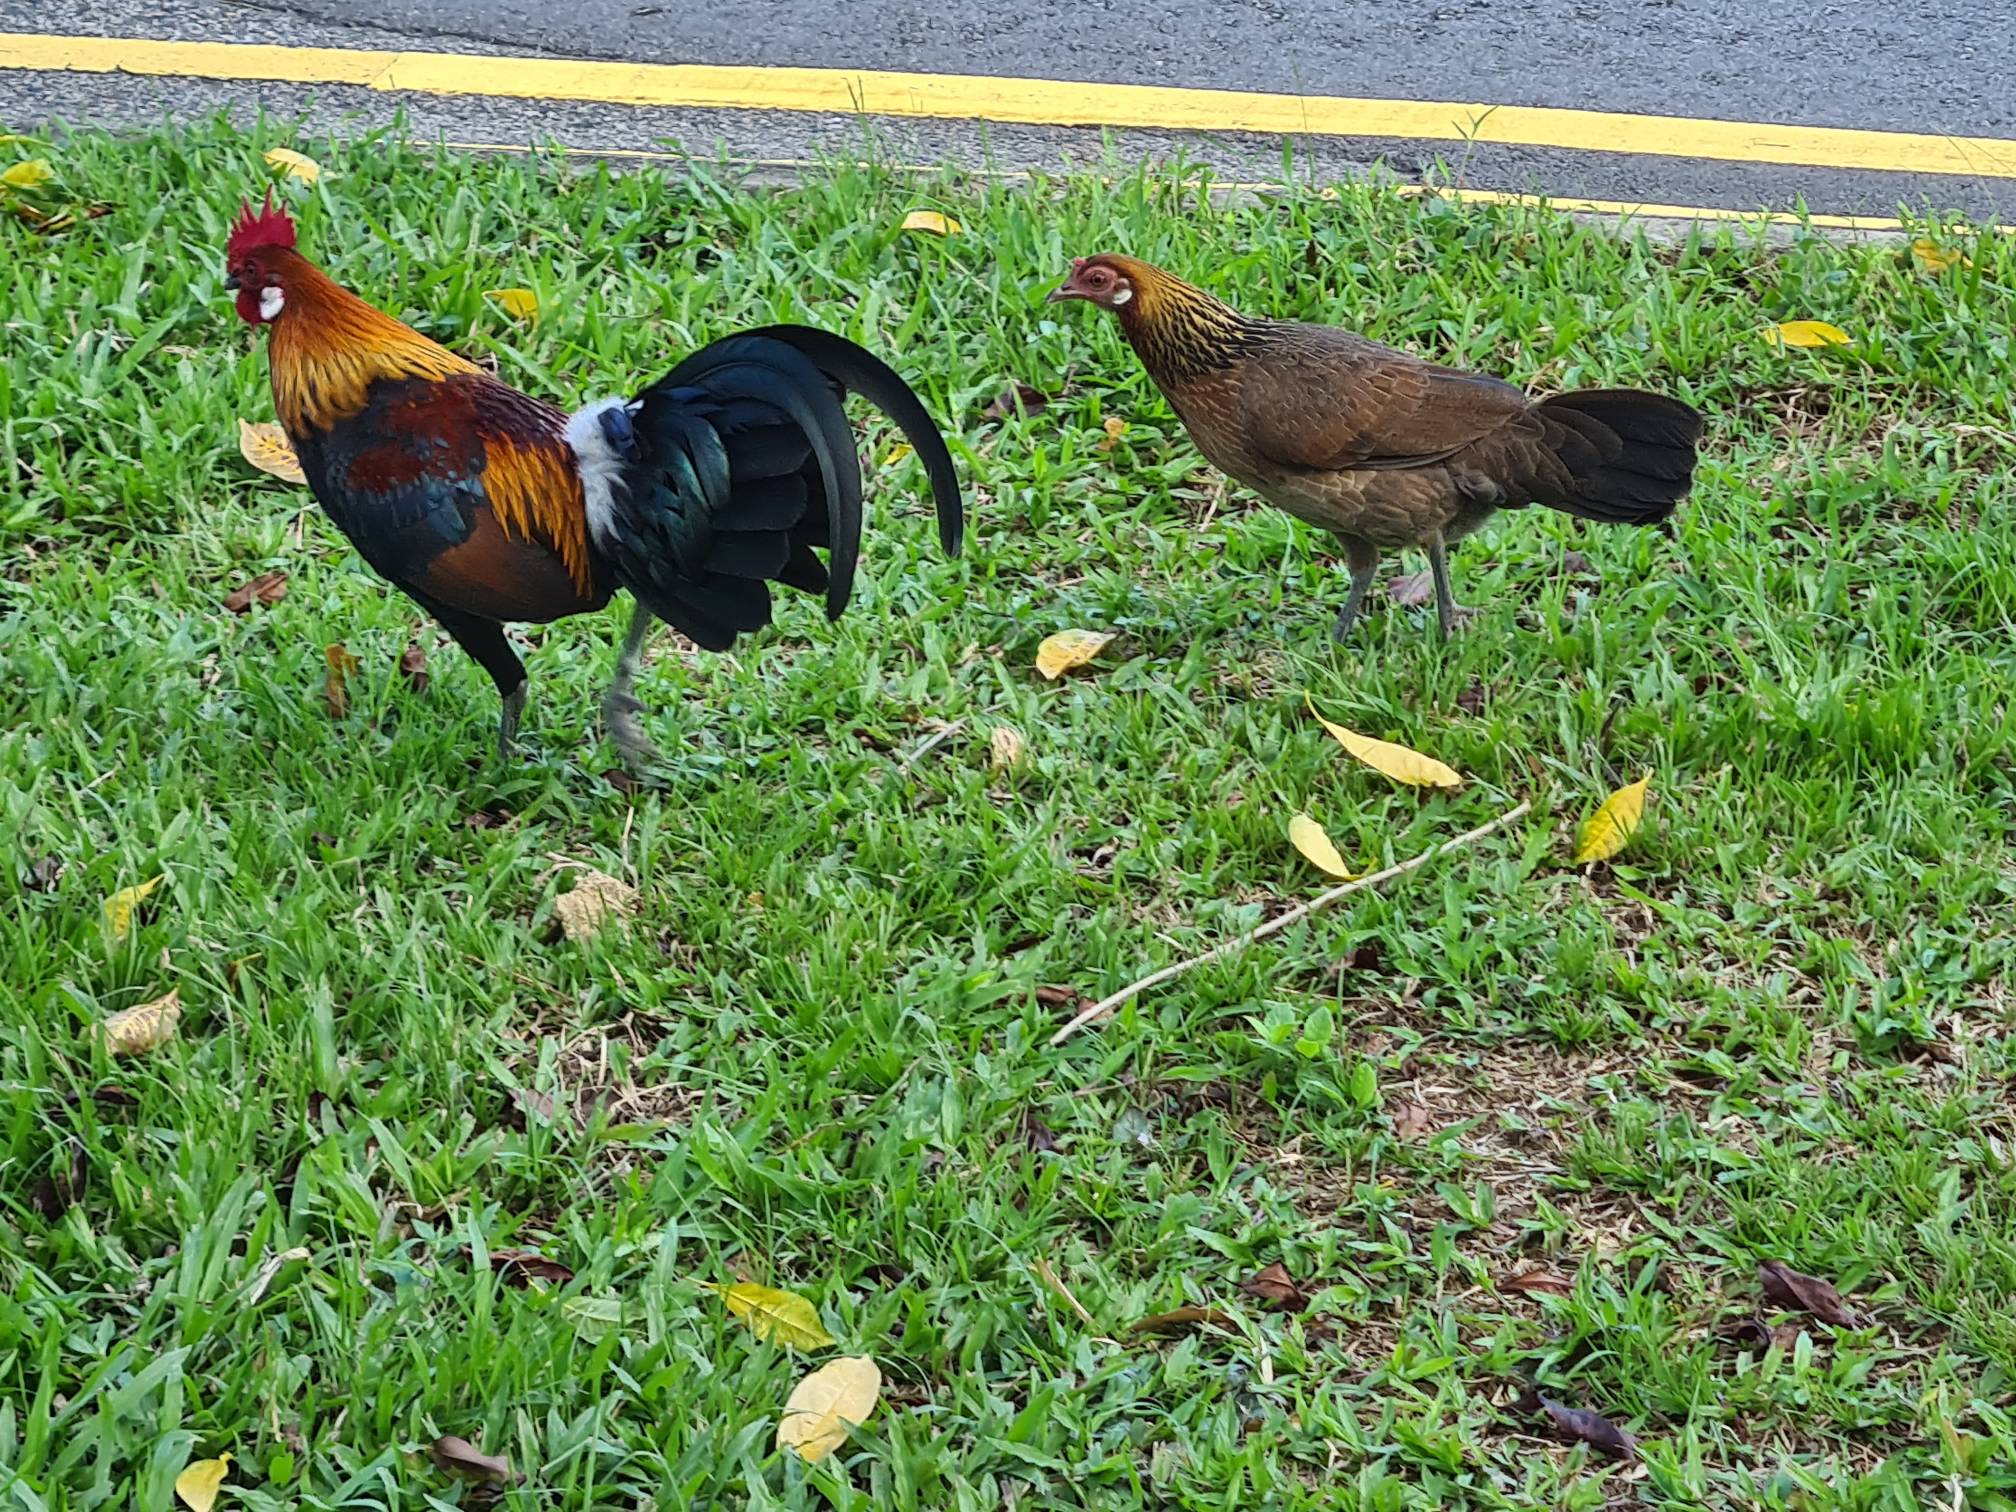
(1777, 1029)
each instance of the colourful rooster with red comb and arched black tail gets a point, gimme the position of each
(489, 507)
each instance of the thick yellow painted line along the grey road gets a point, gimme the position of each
(1025, 102)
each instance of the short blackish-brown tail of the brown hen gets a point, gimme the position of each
(1630, 455)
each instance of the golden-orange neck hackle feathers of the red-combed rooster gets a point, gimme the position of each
(330, 348)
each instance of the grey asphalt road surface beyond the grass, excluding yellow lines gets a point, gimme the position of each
(1906, 66)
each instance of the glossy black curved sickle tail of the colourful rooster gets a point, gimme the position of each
(739, 465)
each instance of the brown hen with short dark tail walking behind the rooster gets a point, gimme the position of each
(1382, 449)
